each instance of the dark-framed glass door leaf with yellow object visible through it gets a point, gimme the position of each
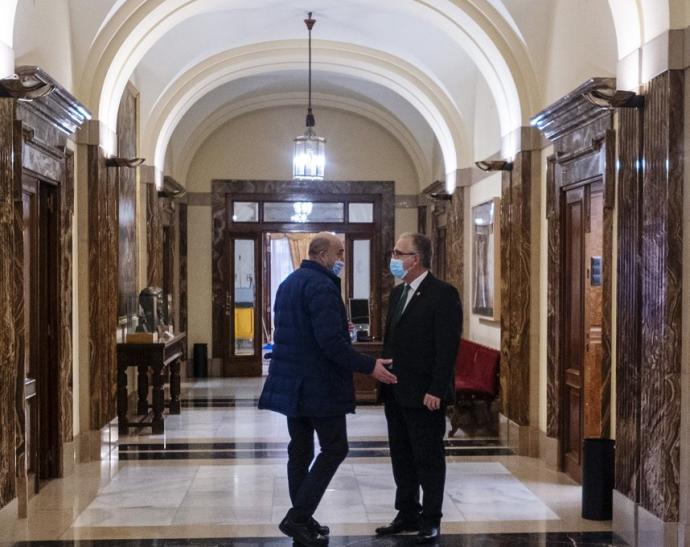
(243, 306)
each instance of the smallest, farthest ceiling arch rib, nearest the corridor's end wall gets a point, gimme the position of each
(221, 116)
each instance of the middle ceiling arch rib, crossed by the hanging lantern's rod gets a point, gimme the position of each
(373, 66)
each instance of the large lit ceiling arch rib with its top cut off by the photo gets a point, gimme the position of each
(122, 44)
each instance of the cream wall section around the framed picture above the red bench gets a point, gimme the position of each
(481, 331)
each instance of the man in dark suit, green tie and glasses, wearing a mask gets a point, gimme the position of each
(422, 337)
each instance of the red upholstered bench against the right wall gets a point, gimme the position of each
(476, 383)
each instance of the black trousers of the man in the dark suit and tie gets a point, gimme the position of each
(418, 457)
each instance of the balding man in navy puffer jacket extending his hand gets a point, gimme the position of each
(310, 381)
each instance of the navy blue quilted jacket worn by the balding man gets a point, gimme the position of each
(312, 360)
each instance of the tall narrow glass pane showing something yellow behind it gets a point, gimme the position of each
(245, 297)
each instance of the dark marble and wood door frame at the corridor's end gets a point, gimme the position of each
(381, 193)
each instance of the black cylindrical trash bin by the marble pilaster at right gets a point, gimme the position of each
(597, 478)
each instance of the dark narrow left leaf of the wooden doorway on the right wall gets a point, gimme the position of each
(573, 331)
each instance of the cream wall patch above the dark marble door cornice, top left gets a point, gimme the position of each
(42, 37)
